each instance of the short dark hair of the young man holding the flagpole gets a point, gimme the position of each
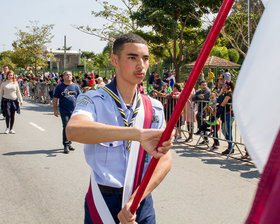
(126, 38)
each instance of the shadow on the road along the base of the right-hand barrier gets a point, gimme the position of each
(246, 169)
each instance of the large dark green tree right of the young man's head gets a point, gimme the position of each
(174, 23)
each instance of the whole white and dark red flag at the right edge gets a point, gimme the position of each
(257, 109)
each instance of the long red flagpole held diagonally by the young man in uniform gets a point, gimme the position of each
(204, 53)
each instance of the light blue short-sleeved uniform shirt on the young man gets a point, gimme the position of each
(109, 159)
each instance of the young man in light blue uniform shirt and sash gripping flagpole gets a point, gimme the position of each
(109, 122)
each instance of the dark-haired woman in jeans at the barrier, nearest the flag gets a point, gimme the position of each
(227, 116)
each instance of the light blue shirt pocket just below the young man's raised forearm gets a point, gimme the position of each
(108, 151)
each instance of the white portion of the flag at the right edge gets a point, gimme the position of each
(255, 100)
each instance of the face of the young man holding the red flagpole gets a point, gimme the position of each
(132, 63)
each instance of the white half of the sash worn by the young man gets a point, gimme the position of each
(98, 199)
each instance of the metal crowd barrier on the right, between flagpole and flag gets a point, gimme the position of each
(196, 118)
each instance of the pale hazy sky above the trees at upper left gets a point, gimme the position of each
(16, 14)
